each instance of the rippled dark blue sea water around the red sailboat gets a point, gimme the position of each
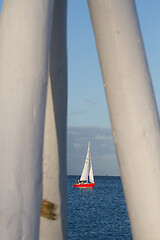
(98, 213)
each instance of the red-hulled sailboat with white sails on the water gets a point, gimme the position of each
(83, 181)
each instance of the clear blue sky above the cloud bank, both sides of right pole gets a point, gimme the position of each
(87, 104)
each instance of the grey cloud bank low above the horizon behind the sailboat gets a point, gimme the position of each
(102, 150)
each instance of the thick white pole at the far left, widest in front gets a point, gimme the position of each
(24, 47)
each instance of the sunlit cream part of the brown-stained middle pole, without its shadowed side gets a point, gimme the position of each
(50, 225)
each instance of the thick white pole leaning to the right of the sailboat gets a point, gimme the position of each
(132, 110)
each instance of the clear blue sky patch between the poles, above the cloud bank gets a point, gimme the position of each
(86, 100)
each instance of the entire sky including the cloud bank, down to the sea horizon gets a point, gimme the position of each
(88, 116)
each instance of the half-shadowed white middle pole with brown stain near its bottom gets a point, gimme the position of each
(54, 156)
